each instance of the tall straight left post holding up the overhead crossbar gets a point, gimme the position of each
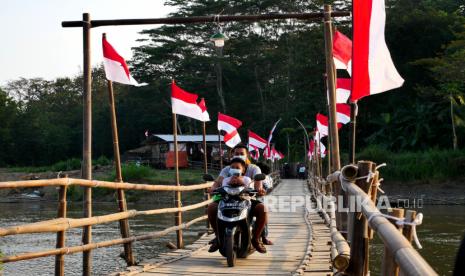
(87, 141)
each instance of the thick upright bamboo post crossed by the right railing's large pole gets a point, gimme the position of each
(358, 234)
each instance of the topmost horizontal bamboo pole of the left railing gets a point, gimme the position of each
(102, 184)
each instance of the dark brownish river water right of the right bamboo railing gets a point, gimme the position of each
(440, 235)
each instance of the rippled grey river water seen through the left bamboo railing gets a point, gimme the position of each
(104, 260)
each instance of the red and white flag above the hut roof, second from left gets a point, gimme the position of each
(185, 103)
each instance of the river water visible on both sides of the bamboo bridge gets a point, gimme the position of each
(440, 235)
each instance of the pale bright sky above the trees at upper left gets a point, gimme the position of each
(33, 43)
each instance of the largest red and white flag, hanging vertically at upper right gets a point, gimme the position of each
(372, 67)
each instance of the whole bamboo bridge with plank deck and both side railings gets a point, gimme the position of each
(309, 239)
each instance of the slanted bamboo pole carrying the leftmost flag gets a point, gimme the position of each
(122, 205)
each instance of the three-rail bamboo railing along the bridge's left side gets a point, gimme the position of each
(61, 224)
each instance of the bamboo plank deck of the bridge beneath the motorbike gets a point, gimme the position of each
(300, 247)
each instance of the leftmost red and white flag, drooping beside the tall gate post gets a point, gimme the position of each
(115, 66)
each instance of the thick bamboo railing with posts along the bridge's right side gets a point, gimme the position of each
(362, 181)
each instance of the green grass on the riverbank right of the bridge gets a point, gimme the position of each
(430, 165)
